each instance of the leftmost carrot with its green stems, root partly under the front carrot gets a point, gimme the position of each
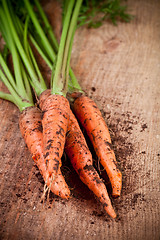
(20, 90)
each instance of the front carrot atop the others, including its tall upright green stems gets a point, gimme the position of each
(55, 108)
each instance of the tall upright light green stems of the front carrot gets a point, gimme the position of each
(64, 52)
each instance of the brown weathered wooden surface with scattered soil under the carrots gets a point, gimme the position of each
(119, 67)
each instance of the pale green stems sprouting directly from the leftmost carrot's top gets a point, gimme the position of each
(17, 82)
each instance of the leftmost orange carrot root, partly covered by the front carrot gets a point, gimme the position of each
(31, 129)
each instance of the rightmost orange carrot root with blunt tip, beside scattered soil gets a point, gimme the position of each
(91, 119)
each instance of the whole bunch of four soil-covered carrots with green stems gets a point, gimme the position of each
(50, 126)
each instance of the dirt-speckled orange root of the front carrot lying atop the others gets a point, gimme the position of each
(55, 117)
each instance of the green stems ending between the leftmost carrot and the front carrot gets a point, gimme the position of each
(11, 27)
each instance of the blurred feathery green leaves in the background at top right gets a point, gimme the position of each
(92, 12)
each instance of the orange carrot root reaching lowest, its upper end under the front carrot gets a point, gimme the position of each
(77, 150)
